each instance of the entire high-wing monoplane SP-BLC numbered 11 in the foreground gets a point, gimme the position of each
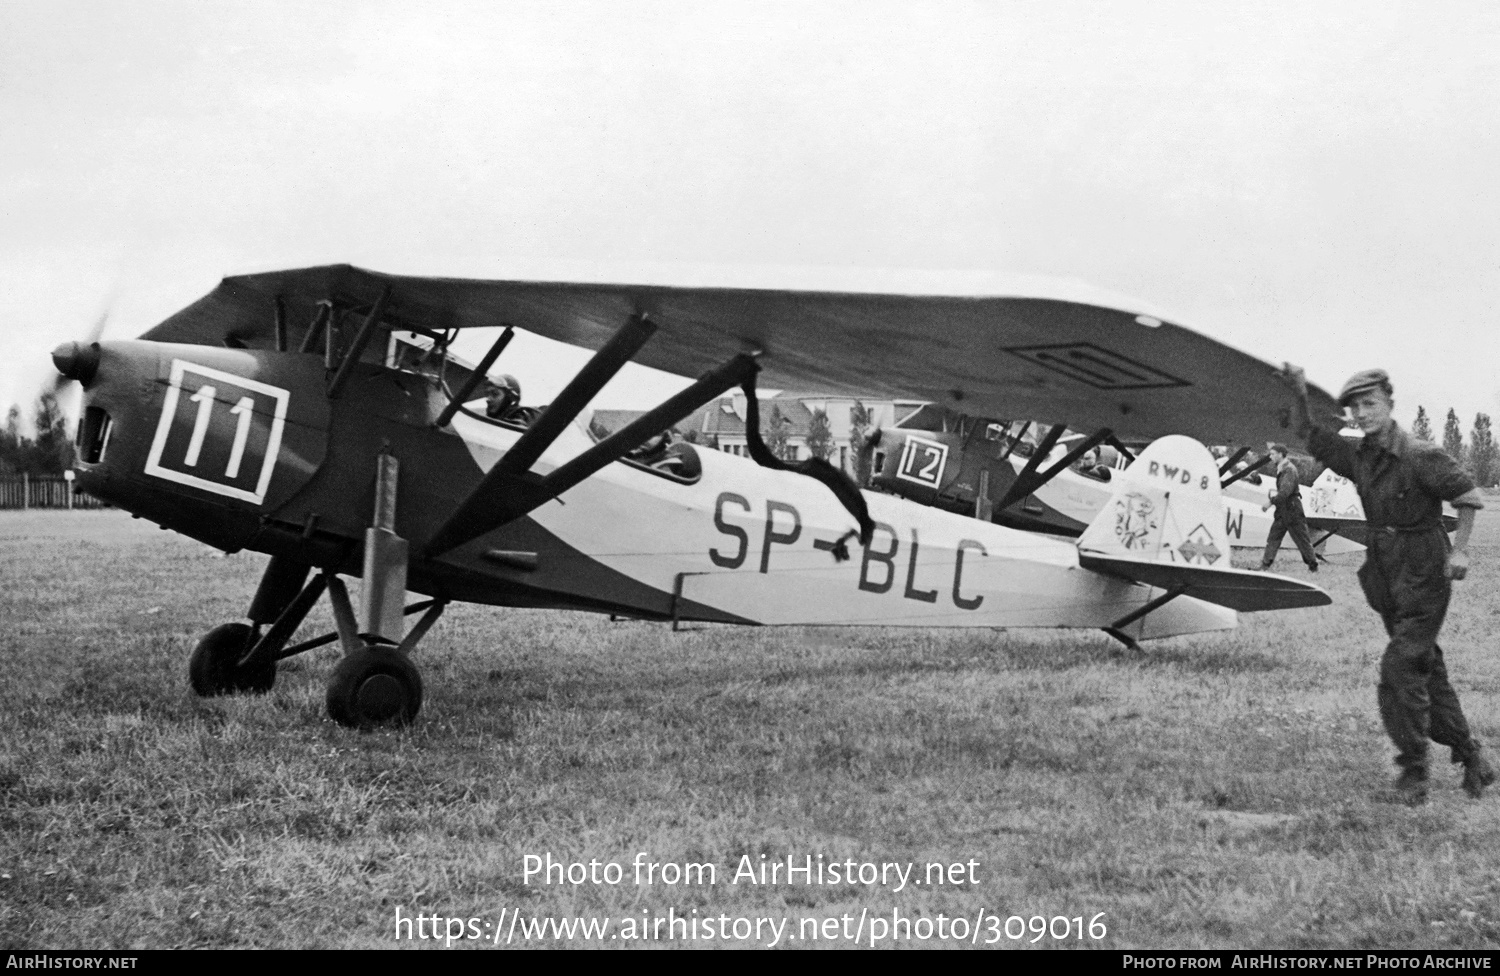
(281, 415)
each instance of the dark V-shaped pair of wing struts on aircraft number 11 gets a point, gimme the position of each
(511, 489)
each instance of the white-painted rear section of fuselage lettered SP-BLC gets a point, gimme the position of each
(743, 540)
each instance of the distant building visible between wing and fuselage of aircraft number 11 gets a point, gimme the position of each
(722, 424)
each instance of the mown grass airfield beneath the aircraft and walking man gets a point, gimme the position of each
(1219, 792)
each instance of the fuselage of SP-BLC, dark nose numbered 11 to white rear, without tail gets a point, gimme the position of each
(244, 451)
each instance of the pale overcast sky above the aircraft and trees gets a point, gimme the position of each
(1307, 182)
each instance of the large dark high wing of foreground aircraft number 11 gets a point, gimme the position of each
(1055, 355)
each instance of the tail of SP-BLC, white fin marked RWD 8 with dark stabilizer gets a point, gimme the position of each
(1165, 527)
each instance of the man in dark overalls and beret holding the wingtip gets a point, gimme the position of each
(1409, 570)
